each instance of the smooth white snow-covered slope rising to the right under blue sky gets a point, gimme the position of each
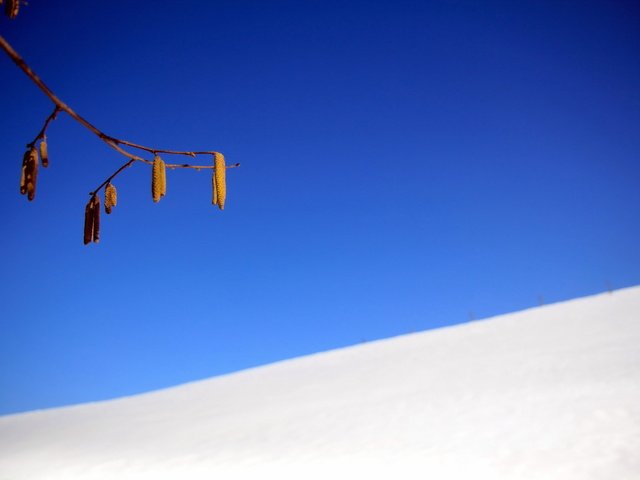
(547, 393)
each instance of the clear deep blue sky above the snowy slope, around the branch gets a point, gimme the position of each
(403, 164)
